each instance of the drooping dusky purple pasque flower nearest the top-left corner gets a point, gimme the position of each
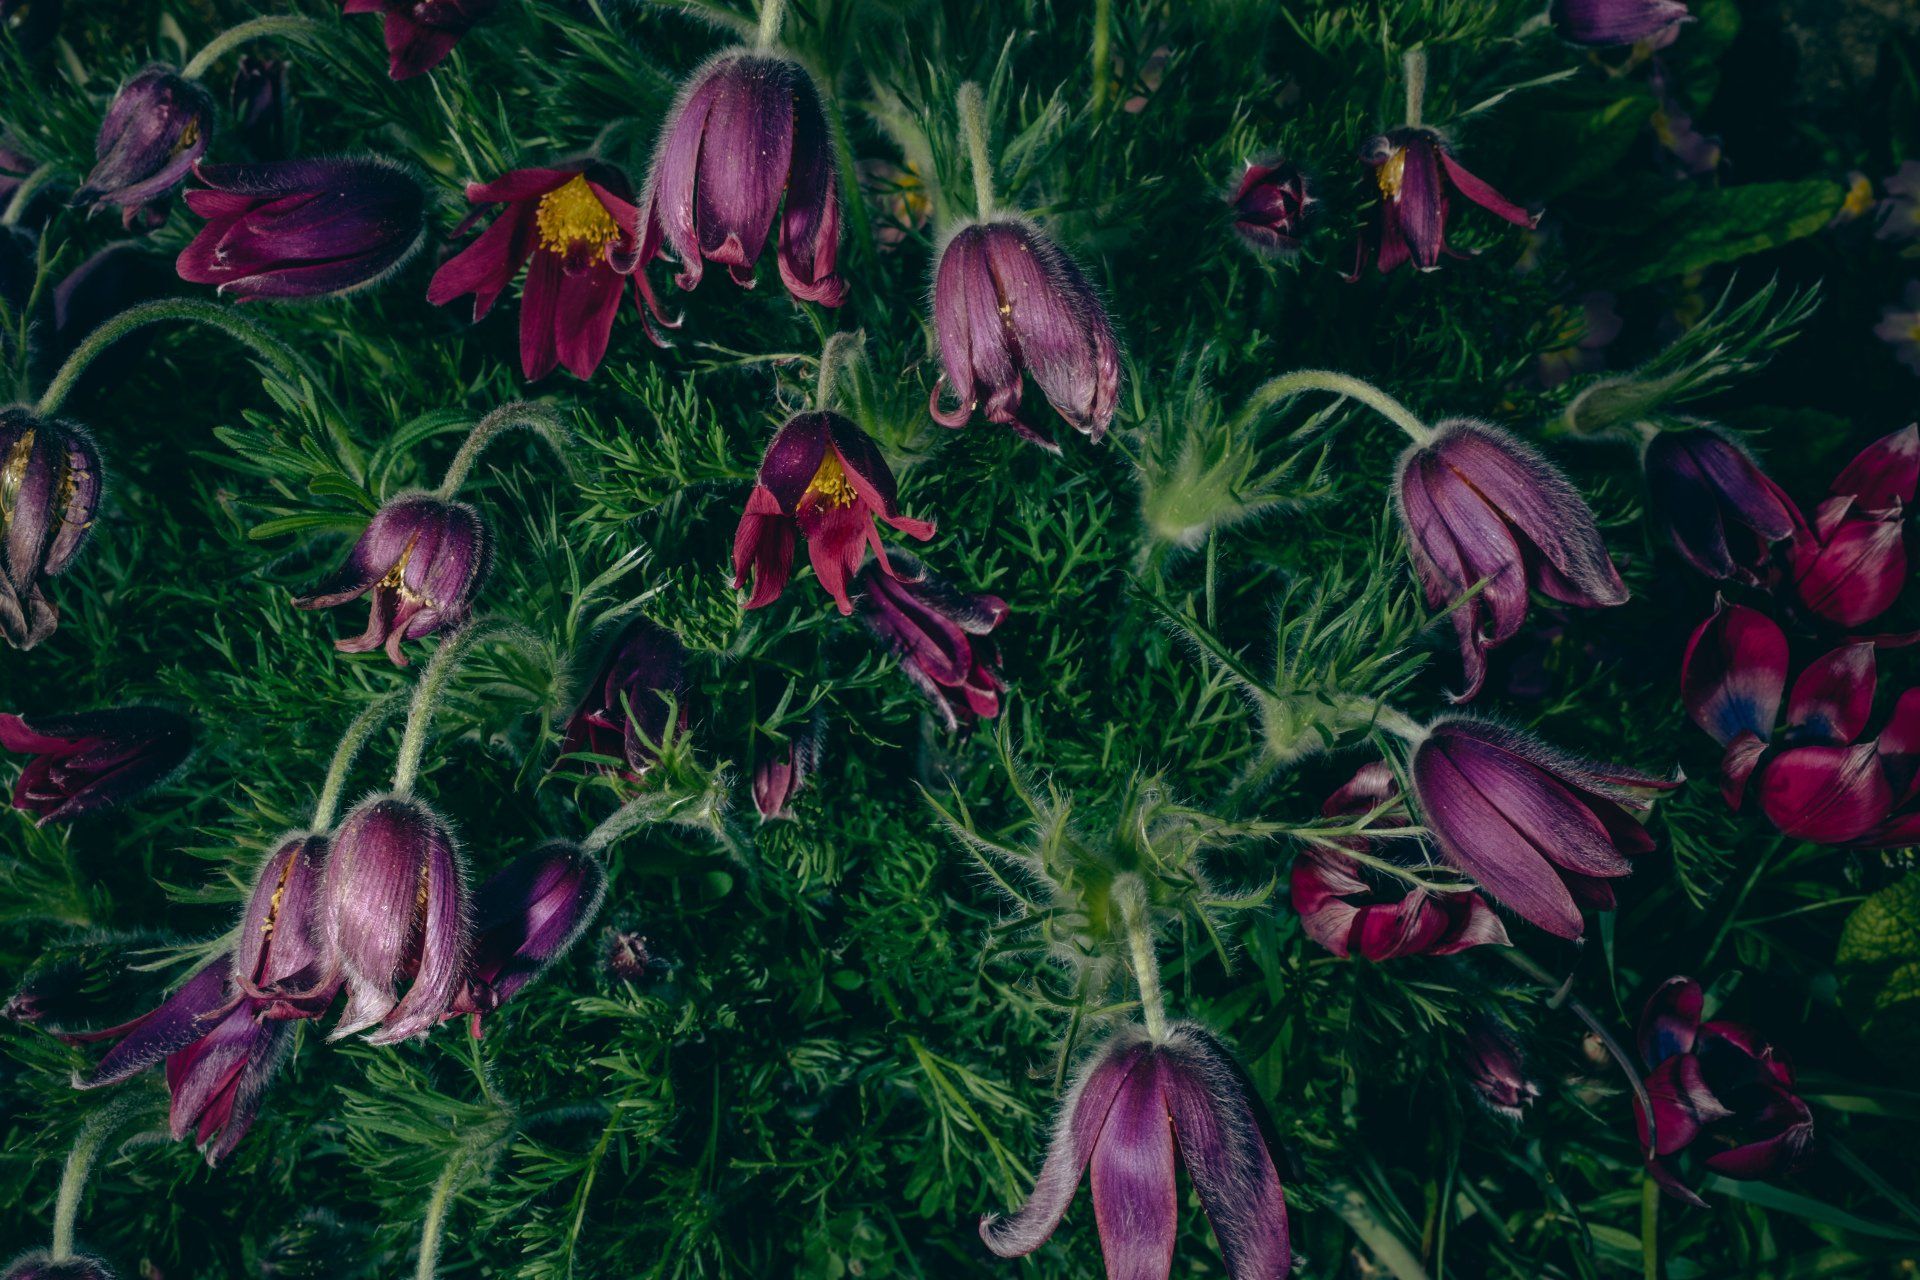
(149, 141)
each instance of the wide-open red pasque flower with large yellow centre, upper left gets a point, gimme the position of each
(577, 231)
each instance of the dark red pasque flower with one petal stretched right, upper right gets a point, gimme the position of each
(1416, 168)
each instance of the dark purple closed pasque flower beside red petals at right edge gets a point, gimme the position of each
(1716, 504)
